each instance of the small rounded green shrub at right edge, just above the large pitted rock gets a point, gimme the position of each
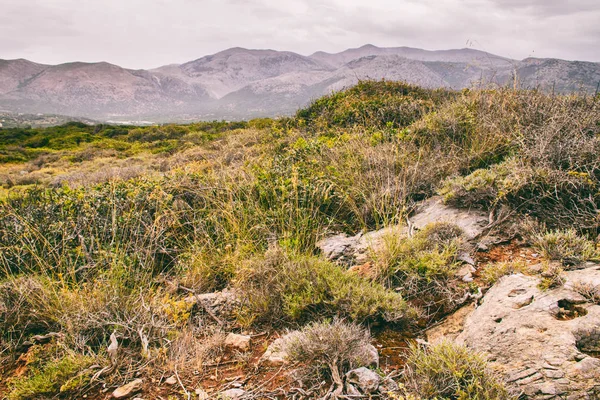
(565, 246)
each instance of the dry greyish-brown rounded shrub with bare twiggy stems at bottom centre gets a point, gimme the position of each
(329, 349)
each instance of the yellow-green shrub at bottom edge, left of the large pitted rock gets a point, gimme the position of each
(449, 371)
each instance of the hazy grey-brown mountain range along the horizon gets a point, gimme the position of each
(241, 83)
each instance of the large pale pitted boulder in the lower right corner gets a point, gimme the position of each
(538, 339)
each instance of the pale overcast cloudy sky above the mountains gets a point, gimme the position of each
(151, 33)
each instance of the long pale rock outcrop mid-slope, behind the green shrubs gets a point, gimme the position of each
(352, 250)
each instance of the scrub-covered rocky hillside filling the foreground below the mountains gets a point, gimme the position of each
(387, 241)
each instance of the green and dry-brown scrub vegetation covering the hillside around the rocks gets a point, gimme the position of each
(105, 231)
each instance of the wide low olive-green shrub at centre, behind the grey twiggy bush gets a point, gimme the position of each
(282, 287)
